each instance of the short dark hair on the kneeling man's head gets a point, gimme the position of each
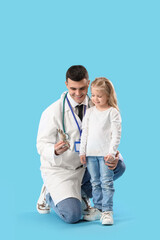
(77, 73)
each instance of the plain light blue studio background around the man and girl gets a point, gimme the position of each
(40, 40)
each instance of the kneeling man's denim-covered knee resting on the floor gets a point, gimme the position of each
(70, 210)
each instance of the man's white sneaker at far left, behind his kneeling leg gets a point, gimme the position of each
(42, 206)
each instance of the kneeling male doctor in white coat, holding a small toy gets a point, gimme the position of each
(67, 185)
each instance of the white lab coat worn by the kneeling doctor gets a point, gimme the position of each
(62, 175)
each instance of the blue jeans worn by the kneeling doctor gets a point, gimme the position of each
(69, 210)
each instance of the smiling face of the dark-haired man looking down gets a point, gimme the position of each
(78, 90)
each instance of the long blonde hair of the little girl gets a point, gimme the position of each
(103, 83)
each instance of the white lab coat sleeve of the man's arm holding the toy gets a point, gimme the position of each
(46, 137)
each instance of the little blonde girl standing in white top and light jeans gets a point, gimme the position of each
(101, 133)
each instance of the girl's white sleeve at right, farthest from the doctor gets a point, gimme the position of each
(115, 119)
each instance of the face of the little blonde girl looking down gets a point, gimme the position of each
(99, 98)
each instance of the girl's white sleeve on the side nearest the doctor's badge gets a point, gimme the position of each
(84, 135)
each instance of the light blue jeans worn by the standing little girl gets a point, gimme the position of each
(102, 183)
